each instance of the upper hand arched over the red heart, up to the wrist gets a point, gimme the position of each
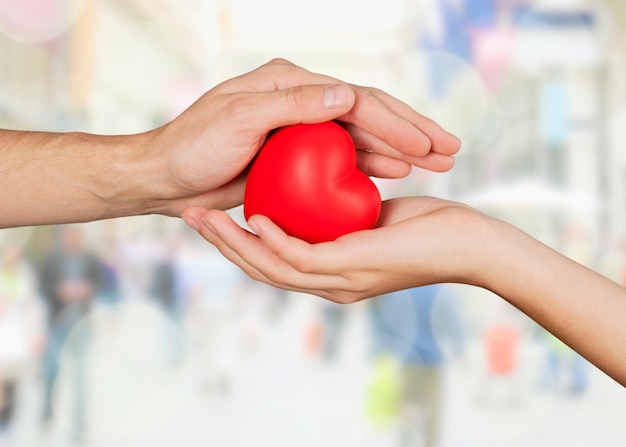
(209, 146)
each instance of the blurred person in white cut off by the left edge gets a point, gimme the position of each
(21, 331)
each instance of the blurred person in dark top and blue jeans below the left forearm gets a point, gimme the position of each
(70, 277)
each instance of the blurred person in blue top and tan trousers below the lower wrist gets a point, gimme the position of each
(416, 326)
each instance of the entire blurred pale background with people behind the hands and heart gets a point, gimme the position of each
(135, 332)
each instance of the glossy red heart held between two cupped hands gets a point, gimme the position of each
(305, 179)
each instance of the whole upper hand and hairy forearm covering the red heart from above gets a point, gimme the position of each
(200, 158)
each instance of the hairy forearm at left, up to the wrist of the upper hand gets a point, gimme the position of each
(48, 178)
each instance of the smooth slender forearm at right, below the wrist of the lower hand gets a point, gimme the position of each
(584, 309)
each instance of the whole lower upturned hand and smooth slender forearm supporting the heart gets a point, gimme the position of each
(424, 240)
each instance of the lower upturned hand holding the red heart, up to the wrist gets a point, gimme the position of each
(418, 241)
